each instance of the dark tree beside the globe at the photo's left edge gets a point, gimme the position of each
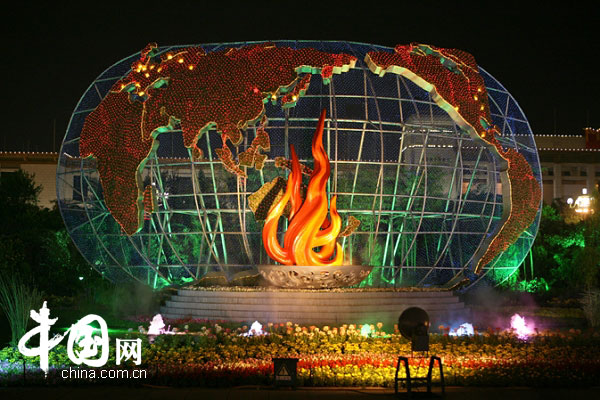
(34, 243)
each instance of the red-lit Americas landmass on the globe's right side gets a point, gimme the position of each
(452, 78)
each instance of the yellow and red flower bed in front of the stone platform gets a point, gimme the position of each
(214, 356)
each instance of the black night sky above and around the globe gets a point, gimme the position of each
(543, 56)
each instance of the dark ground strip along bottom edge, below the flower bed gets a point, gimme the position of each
(246, 392)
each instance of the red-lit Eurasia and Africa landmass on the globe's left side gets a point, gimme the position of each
(225, 90)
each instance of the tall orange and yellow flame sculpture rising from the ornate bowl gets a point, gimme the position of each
(309, 228)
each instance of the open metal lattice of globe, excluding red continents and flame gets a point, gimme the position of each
(427, 194)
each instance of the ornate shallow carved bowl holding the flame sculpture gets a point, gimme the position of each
(314, 277)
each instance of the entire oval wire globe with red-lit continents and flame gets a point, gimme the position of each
(175, 160)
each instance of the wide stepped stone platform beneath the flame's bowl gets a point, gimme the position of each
(319, 307)
